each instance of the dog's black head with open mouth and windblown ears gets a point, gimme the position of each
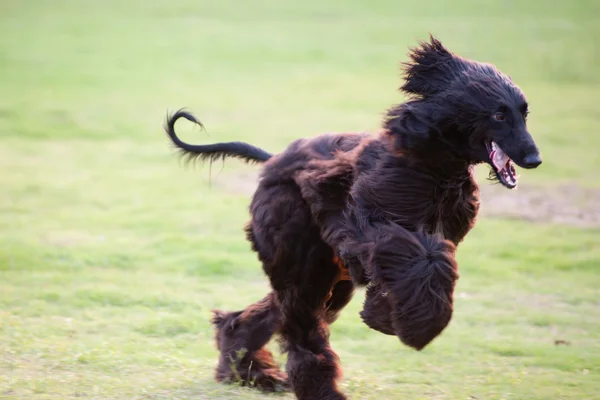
(476, 110)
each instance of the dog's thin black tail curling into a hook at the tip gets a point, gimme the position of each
(212, 152)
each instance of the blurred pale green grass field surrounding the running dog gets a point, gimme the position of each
(112, 254)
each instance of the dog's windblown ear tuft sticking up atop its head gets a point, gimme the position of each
(431, 69)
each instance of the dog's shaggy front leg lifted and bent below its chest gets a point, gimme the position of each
(412, 277)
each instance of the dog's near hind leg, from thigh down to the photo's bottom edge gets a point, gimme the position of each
(302, 272)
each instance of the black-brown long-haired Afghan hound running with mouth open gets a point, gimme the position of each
(383, 210)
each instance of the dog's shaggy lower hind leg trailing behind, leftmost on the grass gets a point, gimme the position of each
(241, 338)
